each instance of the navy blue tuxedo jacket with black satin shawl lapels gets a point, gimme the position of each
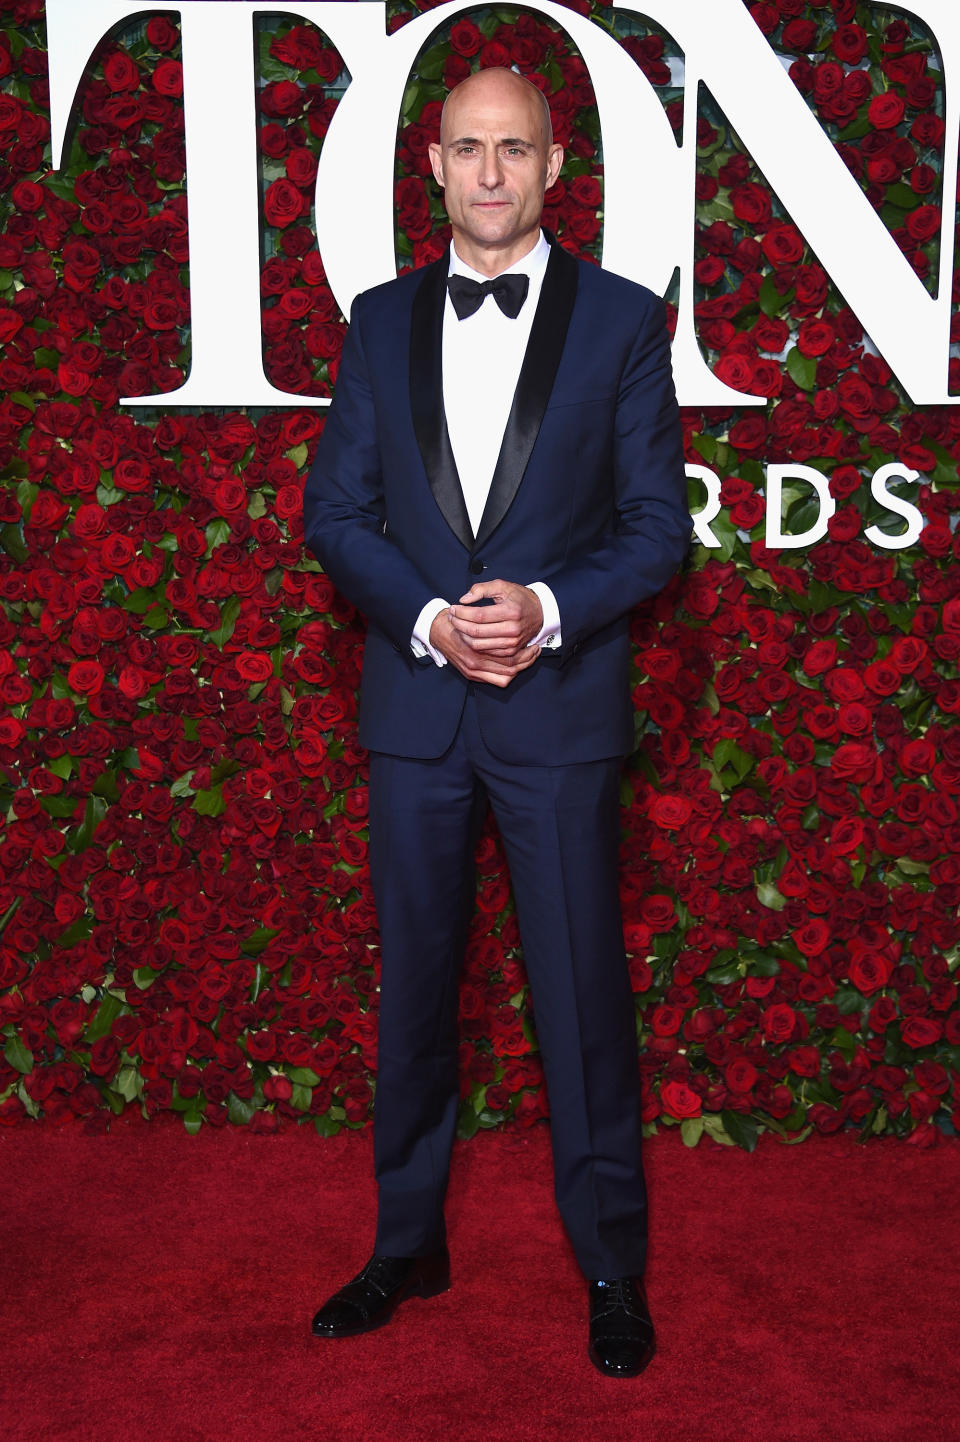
(589, 495)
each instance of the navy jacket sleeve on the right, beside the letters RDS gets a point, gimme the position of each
(654, 524)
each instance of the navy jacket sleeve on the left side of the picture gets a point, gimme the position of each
(344, 505)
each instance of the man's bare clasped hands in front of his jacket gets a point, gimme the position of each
(491, 642)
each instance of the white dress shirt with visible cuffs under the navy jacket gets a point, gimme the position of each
(482, 358)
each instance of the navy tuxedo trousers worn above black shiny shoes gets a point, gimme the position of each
(561, 830)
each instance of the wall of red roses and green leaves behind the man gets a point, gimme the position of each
(185, 912)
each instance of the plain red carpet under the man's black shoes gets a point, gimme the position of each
(159, 1290)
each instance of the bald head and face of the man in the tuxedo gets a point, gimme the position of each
(495, 162)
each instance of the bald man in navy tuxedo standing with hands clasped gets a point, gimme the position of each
(501, 479)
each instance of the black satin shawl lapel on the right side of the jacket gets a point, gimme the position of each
(534, 387)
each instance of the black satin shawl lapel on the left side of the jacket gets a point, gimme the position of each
(427, 400)
